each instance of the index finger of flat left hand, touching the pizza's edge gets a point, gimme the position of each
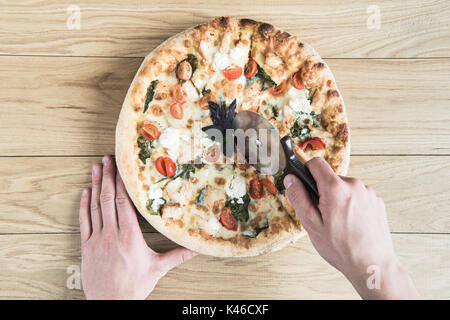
(125, 209)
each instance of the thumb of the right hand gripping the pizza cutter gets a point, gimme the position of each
(301, 202)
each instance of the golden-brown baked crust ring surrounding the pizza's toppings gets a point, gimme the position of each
(267, 43)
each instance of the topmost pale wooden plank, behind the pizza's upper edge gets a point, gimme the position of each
(113, 28)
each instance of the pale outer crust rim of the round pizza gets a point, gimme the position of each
(159, 60)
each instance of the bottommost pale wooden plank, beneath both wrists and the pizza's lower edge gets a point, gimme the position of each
(35, 267)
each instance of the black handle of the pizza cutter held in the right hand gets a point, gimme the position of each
(296, 167)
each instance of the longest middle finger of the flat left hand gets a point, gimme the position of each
(108, 194)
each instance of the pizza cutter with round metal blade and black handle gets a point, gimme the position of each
(259, 144)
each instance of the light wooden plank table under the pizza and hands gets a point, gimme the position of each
(61, 91)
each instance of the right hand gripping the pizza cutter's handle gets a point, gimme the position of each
(350, 231)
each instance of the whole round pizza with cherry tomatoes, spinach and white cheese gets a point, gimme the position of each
(181, 180)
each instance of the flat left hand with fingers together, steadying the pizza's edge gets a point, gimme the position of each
(116, 262)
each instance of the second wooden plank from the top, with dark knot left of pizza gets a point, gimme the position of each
(69, 106)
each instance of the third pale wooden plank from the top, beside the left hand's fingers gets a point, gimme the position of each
(41, 195)
